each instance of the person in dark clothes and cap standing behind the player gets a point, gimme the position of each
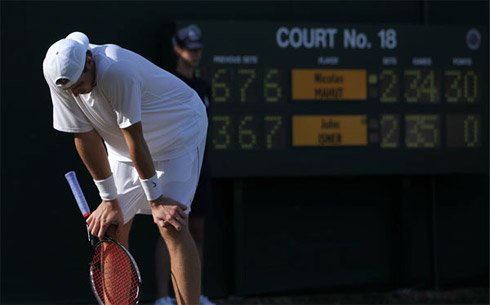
(188, 46)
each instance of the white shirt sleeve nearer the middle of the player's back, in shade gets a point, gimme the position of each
(122, 89)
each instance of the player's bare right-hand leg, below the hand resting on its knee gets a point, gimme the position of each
(185, 265)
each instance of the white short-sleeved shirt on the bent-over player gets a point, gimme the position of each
(131, 89)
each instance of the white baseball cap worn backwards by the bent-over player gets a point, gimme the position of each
(65, 59)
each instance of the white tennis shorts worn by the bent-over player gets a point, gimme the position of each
(178, 178)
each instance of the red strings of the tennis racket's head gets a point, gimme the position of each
(114, 276)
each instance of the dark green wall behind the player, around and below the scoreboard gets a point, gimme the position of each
(264, 234)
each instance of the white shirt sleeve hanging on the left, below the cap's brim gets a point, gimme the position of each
(67, 115)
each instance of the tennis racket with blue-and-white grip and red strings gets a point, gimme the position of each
(114, 275)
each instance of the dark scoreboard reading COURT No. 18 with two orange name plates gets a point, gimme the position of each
(301, 99)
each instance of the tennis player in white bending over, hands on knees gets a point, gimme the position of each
(154, 129)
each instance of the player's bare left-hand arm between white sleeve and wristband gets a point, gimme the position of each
(92, 151)
